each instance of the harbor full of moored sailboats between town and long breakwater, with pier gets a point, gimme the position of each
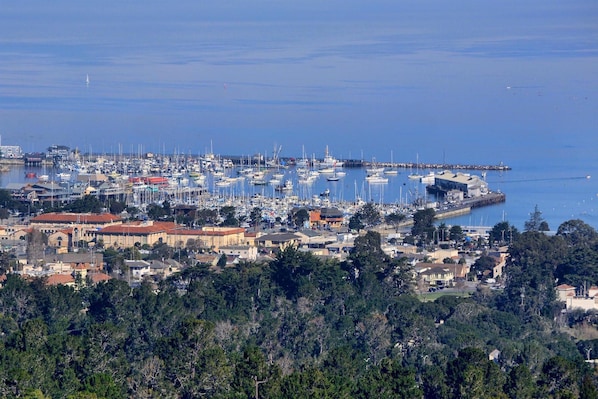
(276, 185)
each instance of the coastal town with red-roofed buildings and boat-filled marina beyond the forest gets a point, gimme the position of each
(189, 185)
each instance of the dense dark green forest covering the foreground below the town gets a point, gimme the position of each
(306, 327)
